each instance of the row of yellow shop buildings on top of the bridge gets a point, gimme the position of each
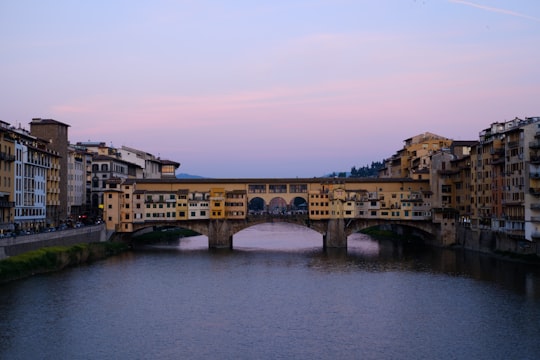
(153, 201)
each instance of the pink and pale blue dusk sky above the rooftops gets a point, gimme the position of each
(278, 89)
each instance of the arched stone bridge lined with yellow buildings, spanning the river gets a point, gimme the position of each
(219, 208)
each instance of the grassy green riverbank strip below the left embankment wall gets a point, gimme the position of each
(56, 258)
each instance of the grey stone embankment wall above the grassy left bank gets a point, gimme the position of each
(12, 246)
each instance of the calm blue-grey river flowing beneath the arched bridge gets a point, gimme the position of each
(277, 295)
